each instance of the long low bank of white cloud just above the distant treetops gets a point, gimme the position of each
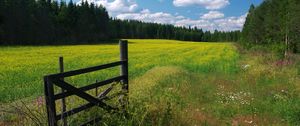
(223, 24)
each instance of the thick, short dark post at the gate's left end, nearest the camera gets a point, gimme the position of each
(50, 102)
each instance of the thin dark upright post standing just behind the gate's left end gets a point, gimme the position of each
(63, 100)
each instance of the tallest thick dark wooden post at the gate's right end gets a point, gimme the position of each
(124, 66)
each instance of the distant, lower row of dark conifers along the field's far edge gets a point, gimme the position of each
(138, 29)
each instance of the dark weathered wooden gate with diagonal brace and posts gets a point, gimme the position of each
(69, 90)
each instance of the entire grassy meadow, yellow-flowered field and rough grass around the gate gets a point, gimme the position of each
(171, 82)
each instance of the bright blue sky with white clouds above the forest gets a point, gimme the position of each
(225, 15)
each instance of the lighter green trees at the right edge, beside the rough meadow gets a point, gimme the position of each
(274, 22)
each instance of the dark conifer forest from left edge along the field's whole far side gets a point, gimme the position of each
(41, 22)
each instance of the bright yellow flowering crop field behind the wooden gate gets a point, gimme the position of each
(22, 68)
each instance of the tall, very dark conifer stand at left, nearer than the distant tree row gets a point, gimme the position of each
(45, 22)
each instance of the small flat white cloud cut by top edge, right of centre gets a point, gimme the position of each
(208, 4)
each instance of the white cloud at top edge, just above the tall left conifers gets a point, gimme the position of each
(115, 6)
